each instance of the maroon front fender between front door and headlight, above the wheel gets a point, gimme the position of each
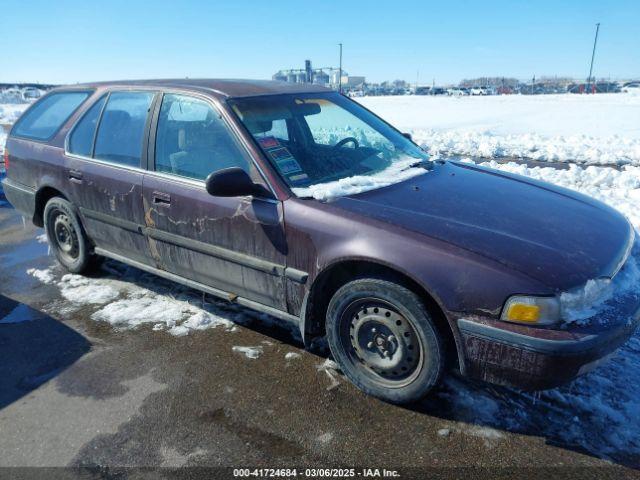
(321, 237)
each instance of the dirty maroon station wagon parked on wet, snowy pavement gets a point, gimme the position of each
(298, 202)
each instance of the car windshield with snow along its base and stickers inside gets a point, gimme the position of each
(325, 145)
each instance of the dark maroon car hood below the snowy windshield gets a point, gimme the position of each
(556, 236)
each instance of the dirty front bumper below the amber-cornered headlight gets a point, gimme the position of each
(539, 358)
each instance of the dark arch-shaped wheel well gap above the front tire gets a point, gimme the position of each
(332, 277)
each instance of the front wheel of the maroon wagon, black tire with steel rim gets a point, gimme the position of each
(385, 340)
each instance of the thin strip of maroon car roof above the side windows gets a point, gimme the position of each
(220, 87)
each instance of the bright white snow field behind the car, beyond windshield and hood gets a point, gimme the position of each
(592, 129)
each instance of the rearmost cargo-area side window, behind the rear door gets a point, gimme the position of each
(46, 117)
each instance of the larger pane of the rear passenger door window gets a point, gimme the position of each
(121, 128)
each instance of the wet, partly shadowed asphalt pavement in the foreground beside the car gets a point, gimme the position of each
(79, 392)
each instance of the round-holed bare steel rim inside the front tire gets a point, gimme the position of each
(381, 342)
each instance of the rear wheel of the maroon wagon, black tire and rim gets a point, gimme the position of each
(67, 238)
